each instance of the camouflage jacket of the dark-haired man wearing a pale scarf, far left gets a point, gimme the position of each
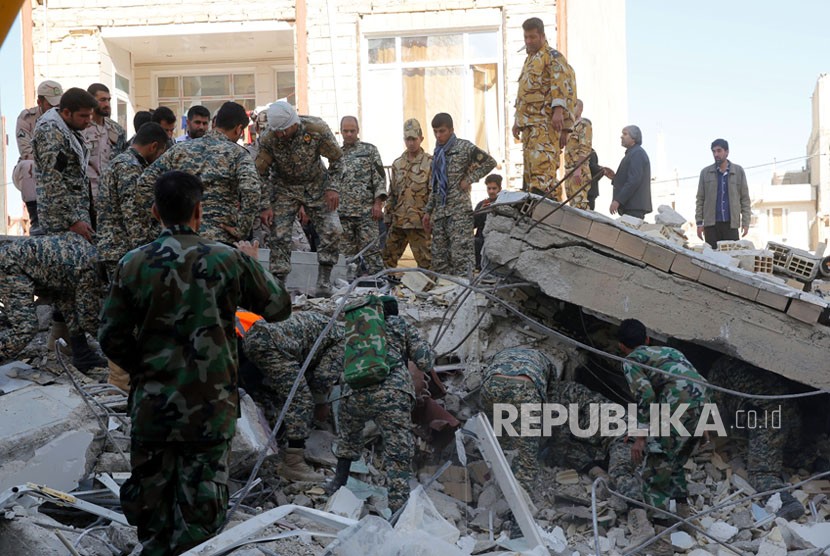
(60, 168)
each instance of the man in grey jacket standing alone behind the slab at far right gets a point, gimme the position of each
(723, 203)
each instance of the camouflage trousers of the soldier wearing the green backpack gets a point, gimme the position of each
(391, 411)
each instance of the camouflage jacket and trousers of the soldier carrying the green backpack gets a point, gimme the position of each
(390, 405)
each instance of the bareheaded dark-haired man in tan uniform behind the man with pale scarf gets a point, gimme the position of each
(104, 137)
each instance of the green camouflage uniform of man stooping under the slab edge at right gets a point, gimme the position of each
(663, 474)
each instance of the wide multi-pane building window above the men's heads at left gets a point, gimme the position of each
(180, 92)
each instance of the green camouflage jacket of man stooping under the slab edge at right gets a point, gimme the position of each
(649, 386)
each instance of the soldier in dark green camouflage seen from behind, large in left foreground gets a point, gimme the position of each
(169, 322)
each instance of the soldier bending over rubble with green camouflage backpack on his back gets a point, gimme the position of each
(378, 345)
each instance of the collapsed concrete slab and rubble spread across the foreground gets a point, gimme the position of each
(556, 279)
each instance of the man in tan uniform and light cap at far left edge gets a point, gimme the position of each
(48, 96)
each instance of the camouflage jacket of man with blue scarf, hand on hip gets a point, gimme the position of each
(467, 162)
